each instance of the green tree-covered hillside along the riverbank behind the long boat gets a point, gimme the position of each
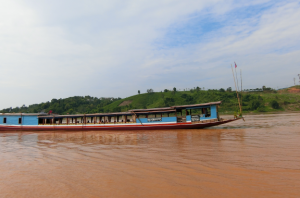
(256, 101)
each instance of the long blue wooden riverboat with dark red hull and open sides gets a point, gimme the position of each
(194, 116)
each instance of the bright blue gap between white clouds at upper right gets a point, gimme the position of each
(201, 26)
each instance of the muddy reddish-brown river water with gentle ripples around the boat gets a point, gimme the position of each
(256, 158)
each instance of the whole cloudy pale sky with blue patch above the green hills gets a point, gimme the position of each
(59, 49)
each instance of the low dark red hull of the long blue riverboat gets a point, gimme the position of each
(118, 127)
